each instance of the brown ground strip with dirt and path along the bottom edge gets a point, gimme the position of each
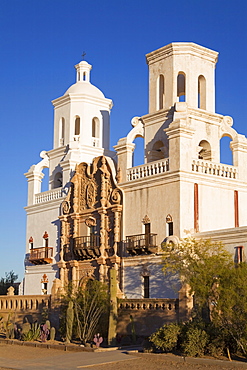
(30, 358)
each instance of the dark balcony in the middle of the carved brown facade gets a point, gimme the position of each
(87, 247)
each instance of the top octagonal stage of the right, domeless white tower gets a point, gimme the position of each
(182, 71)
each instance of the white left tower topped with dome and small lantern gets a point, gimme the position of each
(82, 115)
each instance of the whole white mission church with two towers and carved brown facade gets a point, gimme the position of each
(101, 214)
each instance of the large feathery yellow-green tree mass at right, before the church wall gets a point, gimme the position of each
(218, 284)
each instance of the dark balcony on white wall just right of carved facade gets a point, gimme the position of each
(141, 244)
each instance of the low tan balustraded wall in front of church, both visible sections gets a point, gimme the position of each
(143, 316)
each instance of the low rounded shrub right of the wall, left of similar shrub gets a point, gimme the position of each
(166, 337)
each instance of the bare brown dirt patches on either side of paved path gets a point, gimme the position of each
(142, 361)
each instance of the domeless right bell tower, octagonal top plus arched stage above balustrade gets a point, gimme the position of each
(181, 89)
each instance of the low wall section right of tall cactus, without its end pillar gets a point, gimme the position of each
(144, 316)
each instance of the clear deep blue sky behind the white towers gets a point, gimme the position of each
(41, 41)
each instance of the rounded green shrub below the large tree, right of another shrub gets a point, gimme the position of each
(194, 341)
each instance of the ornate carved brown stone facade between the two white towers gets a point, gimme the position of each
(91, 223)
